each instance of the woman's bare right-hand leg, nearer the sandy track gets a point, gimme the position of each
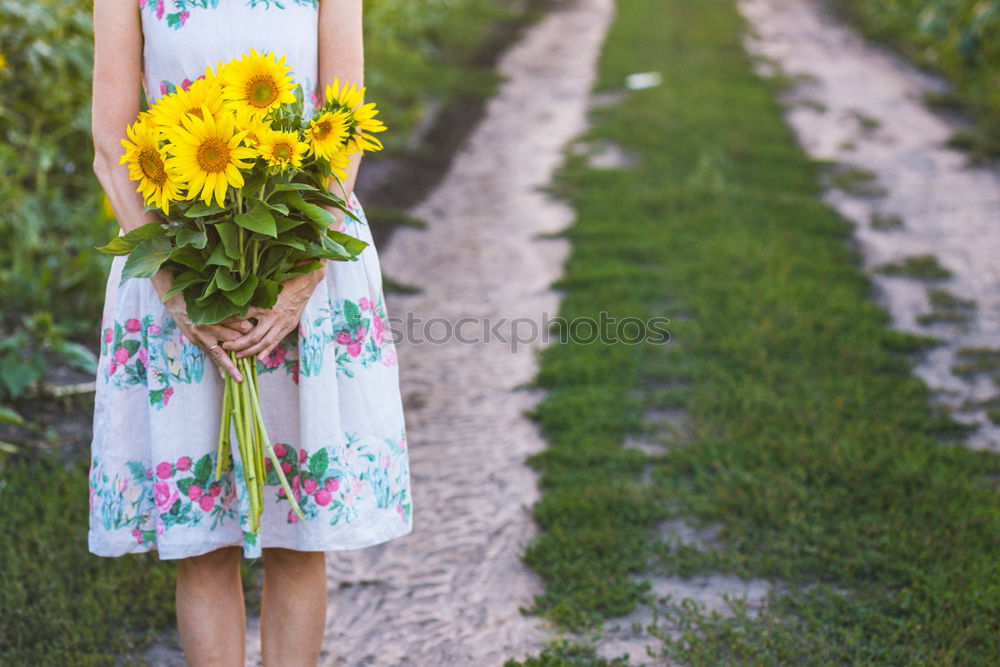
(293, 609)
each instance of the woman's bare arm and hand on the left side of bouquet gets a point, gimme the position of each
(117, 83)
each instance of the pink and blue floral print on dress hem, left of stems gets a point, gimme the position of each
(151, 501)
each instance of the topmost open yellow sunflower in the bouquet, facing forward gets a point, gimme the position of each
(257, 82)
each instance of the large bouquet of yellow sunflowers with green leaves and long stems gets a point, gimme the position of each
(239, 178)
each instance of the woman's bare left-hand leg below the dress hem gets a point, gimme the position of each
(211, 617)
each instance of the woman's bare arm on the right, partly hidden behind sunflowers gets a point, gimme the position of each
(341, 56)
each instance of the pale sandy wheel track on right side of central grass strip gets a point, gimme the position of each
(859, 105)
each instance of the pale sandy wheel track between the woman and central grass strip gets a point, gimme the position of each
(449, 593)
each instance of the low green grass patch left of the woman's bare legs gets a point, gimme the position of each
(61, 605)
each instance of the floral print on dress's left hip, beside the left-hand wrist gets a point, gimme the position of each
(141, 352)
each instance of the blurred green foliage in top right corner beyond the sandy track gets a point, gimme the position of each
(957, 38)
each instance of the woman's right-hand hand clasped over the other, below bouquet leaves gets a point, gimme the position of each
(275, 323)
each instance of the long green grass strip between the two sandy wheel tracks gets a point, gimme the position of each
(812, 444)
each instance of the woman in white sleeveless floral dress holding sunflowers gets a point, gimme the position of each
(327, 372)
